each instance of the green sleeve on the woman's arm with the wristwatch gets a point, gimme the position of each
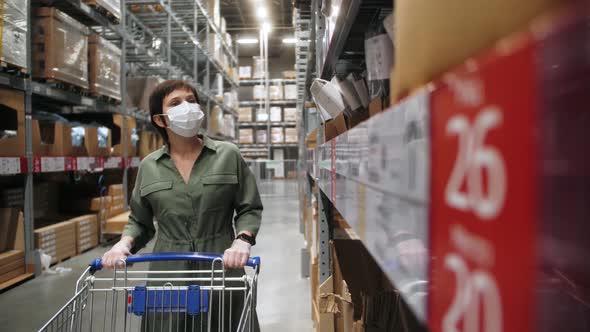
(248, 205)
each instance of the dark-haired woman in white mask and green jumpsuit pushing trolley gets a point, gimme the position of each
(191, 186)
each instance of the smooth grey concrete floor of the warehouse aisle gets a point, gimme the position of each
(283, 296)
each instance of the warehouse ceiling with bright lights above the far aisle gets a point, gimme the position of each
(242, 21)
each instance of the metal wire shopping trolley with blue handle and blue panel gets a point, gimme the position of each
(154, 301)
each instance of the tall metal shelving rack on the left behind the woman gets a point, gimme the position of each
(170, 42)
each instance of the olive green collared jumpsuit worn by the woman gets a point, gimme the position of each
(195, 216)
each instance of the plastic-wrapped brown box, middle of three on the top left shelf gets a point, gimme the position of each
(60, 48)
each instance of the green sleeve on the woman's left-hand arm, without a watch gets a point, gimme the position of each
(141, 220)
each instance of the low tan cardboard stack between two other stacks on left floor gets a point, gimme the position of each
(57, 240)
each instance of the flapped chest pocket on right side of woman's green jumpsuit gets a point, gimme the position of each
(218, 192)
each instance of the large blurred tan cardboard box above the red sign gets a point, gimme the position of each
(460, 29)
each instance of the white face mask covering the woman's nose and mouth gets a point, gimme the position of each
(185, 119)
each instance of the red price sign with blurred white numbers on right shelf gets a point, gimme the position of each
(484, 122)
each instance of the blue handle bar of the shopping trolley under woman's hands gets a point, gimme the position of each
(96, 265)
